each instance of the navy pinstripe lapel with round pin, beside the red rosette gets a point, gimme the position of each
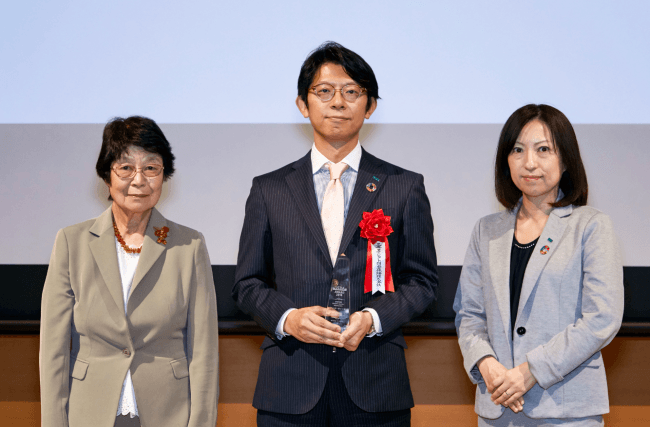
(370, 171)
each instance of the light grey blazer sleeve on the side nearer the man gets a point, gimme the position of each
(471, 318)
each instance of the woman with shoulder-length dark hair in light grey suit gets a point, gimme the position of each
(541, 290)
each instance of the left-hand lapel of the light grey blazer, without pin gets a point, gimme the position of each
(499, 254)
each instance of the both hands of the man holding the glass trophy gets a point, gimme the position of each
(309, 325)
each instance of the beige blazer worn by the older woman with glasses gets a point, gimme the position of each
(168, 337)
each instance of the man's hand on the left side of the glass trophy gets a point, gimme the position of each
(308, 325)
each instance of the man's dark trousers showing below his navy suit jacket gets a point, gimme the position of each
(335, 409)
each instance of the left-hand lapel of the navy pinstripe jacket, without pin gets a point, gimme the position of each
(301, 184)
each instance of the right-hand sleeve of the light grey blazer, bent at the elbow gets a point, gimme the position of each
(602, 307)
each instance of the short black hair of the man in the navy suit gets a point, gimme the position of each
(353, 64)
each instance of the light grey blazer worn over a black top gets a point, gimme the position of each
(571, 306)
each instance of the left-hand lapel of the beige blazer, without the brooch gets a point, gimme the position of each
(105, 255)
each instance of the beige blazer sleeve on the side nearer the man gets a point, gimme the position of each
(203, 342)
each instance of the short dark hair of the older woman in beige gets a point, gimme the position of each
(136, 131)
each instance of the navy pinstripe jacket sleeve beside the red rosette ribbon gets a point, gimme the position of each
(415, 275)
